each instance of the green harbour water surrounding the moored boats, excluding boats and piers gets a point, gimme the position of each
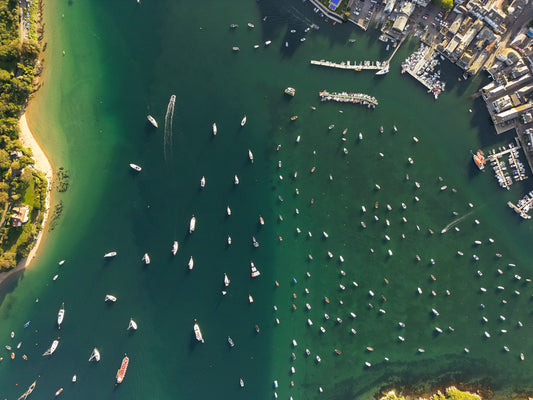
(123, 60)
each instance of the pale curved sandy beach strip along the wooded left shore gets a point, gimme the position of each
(42, 164)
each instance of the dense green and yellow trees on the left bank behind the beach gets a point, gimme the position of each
(20, 183)
